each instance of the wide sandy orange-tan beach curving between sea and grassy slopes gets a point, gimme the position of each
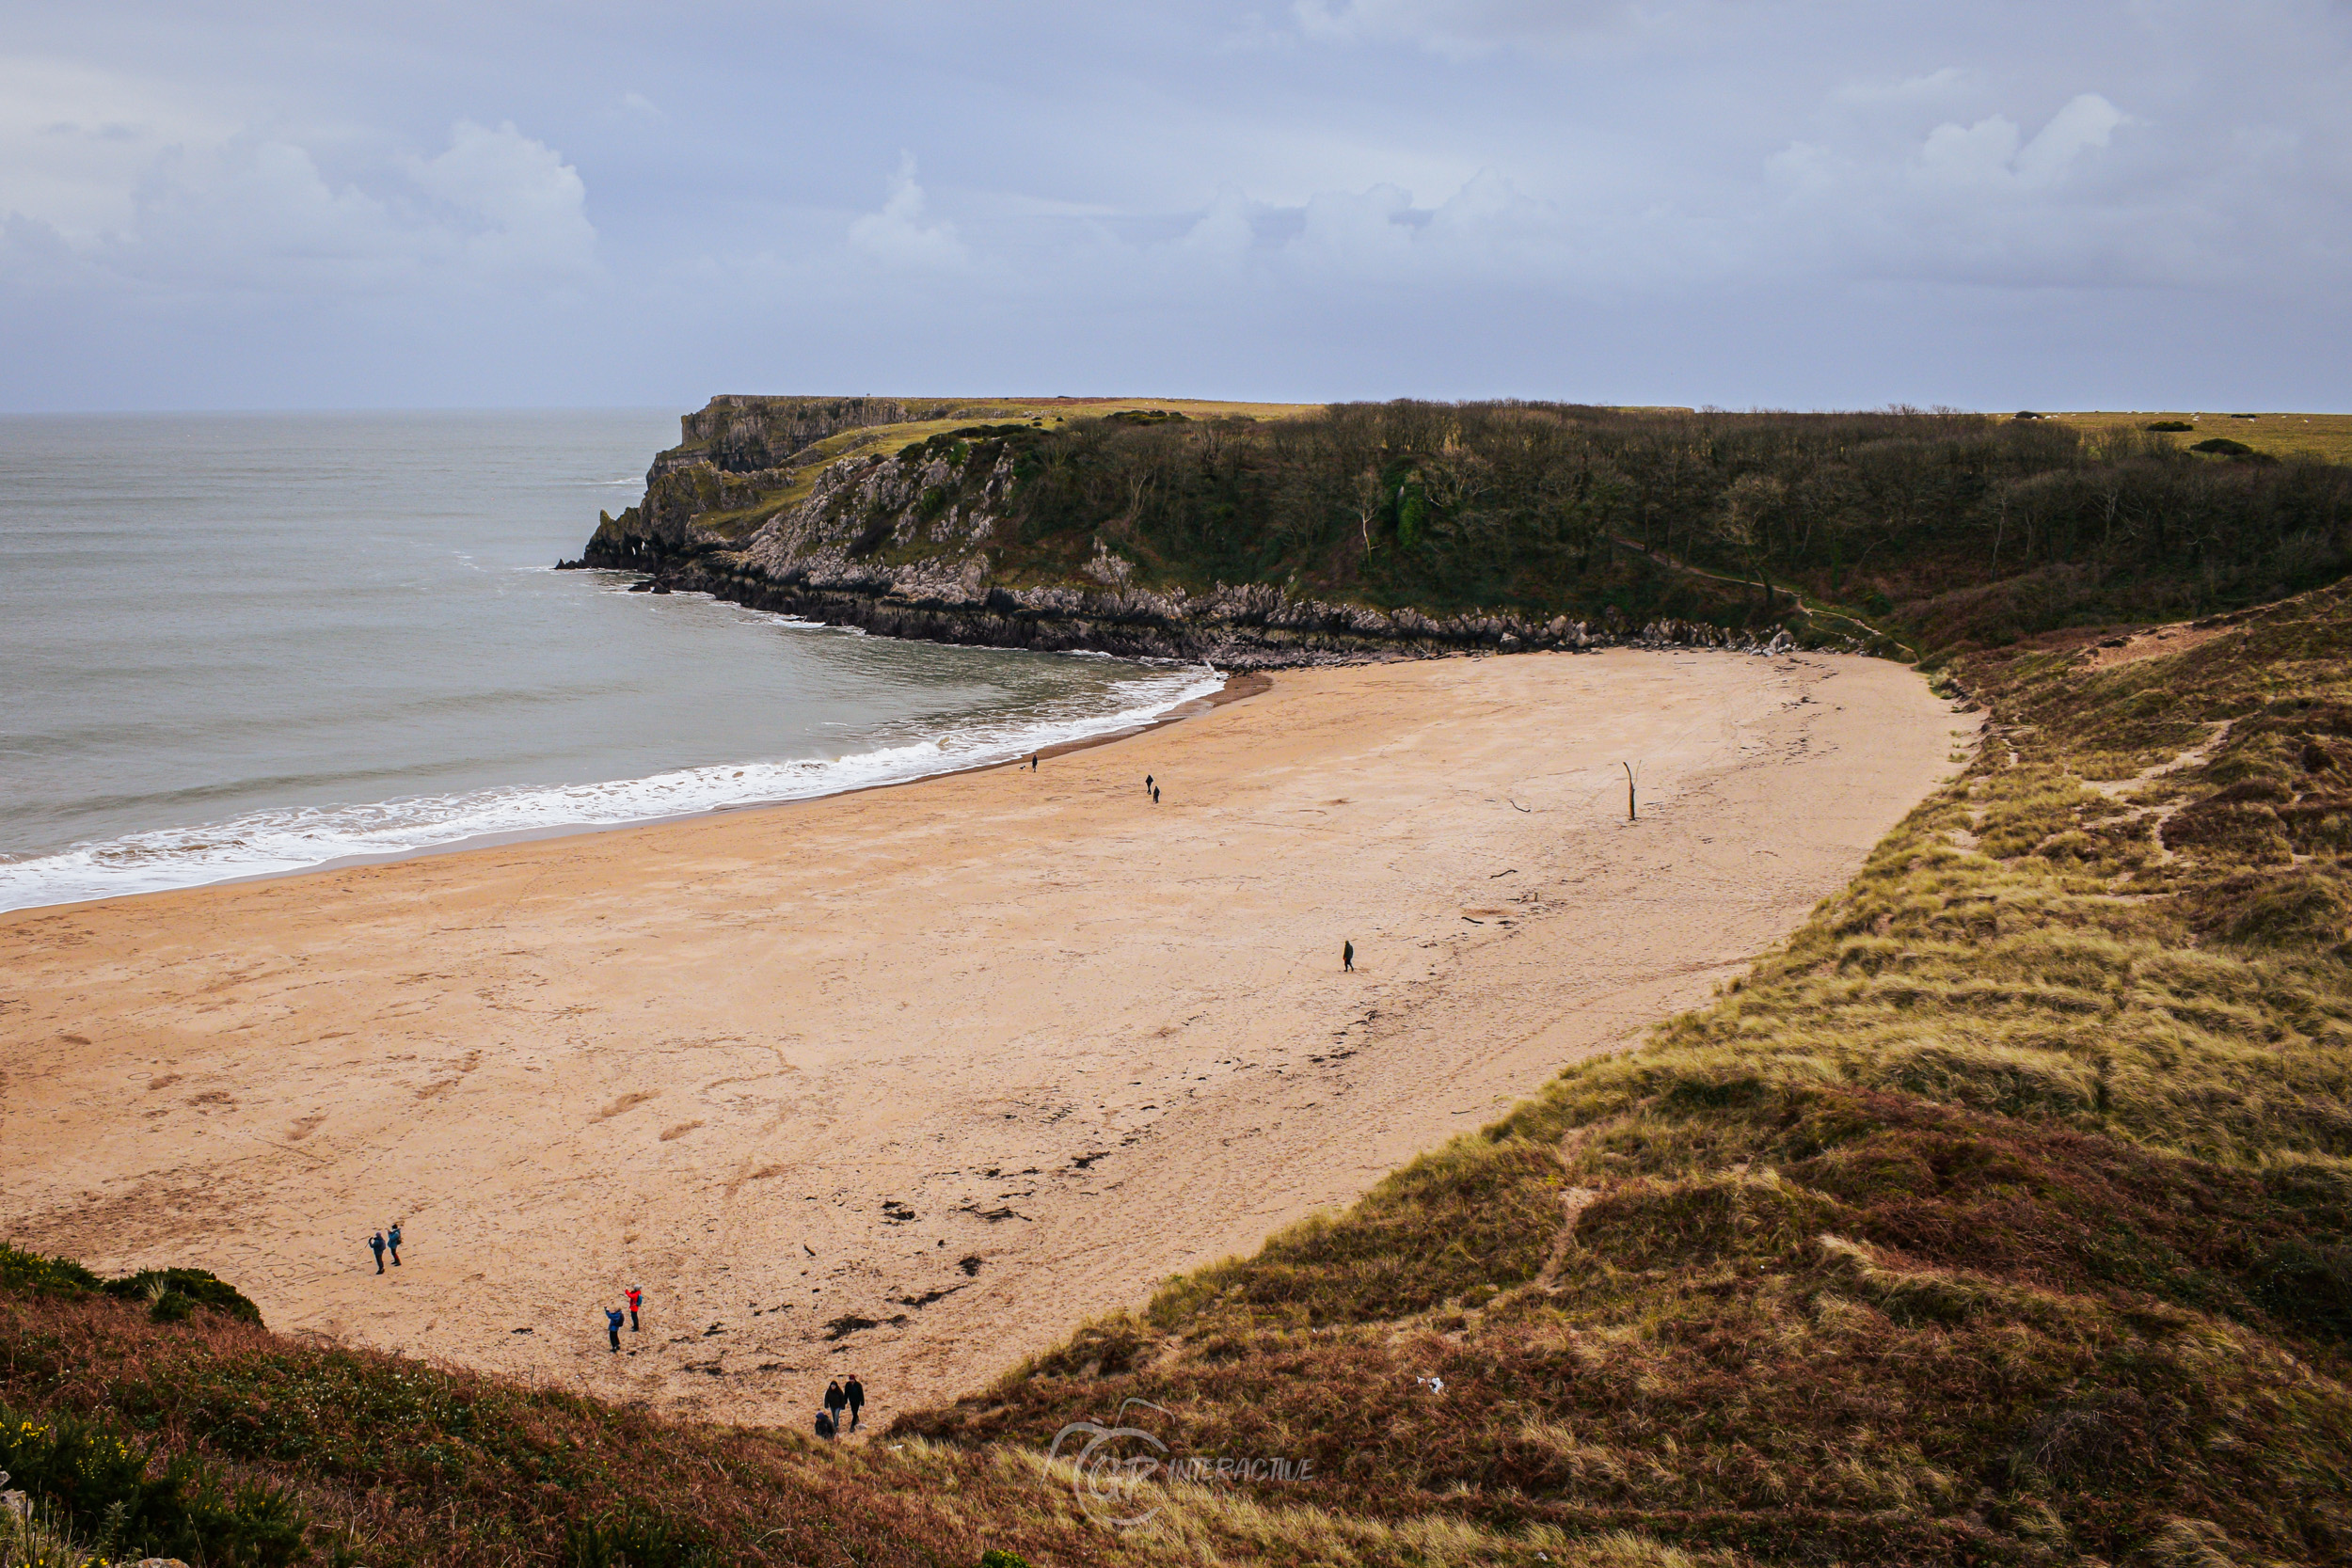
(794, 1068)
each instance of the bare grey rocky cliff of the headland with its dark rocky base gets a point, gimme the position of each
(926, 542)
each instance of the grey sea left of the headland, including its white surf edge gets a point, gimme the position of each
(241, 645)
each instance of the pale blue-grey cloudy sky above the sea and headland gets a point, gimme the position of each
(1737, 203)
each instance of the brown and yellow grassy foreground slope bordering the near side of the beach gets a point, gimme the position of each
(2003, 1217)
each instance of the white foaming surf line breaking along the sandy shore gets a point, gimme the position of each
(290, 840)
